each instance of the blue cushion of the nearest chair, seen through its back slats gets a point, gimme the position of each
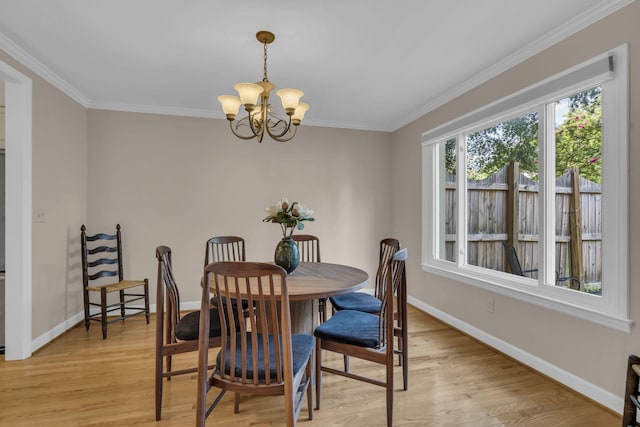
(301, 347)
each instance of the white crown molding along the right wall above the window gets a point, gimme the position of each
(601, 10)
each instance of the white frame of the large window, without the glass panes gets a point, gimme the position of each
(612, 308)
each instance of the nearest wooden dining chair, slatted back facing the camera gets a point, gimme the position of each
(261, 355)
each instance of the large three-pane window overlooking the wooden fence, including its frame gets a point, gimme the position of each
(528, 195)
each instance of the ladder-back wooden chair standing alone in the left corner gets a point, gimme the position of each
(101, 261)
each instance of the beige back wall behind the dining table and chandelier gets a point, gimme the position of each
(177, 181)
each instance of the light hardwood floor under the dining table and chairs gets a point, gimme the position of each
(81, 380)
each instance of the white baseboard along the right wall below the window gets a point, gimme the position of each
(598, 394)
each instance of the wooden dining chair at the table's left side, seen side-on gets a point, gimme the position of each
(175, 334)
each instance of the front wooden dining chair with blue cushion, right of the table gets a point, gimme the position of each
(364, 335)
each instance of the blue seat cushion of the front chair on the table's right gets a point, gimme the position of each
(351, 327)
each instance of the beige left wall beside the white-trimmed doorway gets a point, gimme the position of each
(59, 179)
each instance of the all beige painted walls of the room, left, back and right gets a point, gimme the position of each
(177, 180)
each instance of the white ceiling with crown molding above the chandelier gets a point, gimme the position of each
(363, 64)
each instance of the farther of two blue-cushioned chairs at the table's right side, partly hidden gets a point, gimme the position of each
(368, 303)
